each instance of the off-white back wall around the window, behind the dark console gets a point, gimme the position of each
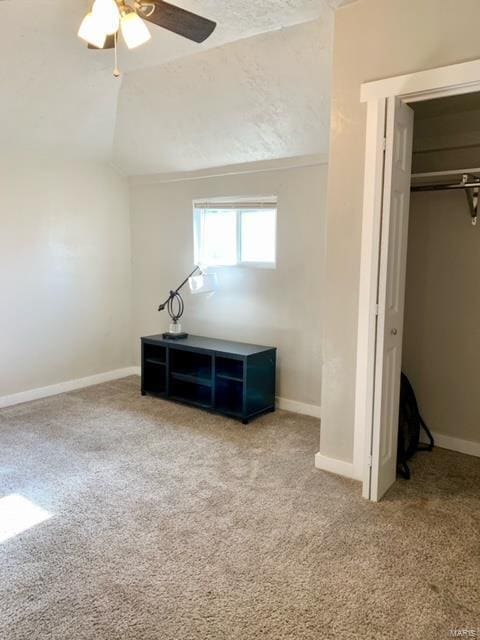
(281, 307)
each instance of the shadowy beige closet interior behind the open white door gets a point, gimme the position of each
(441, 341)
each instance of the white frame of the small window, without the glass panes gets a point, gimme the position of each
(239, 206)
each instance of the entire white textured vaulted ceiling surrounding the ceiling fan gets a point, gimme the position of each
(257, 89)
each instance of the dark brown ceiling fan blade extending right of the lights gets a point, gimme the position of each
(178, 20)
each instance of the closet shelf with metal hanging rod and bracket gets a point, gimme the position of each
(451, 180)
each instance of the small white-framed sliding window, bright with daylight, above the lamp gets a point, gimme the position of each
(228, 233)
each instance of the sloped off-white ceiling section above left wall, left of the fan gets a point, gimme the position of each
(55, 98)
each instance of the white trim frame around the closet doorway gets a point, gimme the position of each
(422, 85)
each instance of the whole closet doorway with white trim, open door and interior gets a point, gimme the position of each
(406, 316)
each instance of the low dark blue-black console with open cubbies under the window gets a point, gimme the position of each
(231, 378)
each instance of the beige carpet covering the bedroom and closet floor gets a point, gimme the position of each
(172, 524)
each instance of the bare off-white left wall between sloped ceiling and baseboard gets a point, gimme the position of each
(65, 274)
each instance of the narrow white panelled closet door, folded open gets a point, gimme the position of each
(391, 296)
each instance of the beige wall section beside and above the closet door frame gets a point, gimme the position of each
(373, 39)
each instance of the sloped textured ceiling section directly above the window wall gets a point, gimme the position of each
(260, 98)
